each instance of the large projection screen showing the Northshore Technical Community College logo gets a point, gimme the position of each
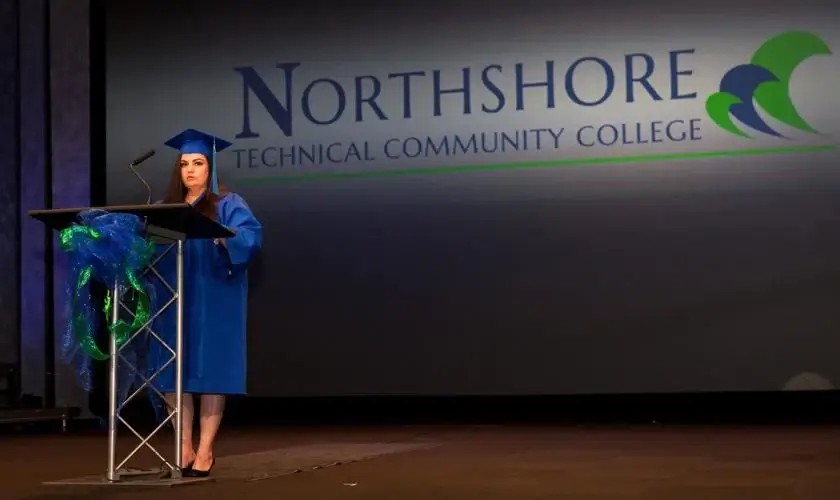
(496, 198)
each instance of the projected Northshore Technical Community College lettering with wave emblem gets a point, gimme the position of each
(301, 119)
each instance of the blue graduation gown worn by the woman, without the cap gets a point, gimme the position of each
(215, 307)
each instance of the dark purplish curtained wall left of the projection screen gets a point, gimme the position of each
(45, 160)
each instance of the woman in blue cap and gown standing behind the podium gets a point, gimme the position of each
(215, 299)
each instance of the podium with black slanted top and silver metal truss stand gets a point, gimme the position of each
(171, 224)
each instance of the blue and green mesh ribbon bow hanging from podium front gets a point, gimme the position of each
(109, 248)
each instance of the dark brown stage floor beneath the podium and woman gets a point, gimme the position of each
(437, 463)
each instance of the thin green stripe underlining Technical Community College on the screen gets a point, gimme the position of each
(572, 162)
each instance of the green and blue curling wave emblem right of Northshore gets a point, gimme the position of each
(764, 84)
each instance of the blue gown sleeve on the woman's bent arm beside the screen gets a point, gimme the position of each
(239, 249)
